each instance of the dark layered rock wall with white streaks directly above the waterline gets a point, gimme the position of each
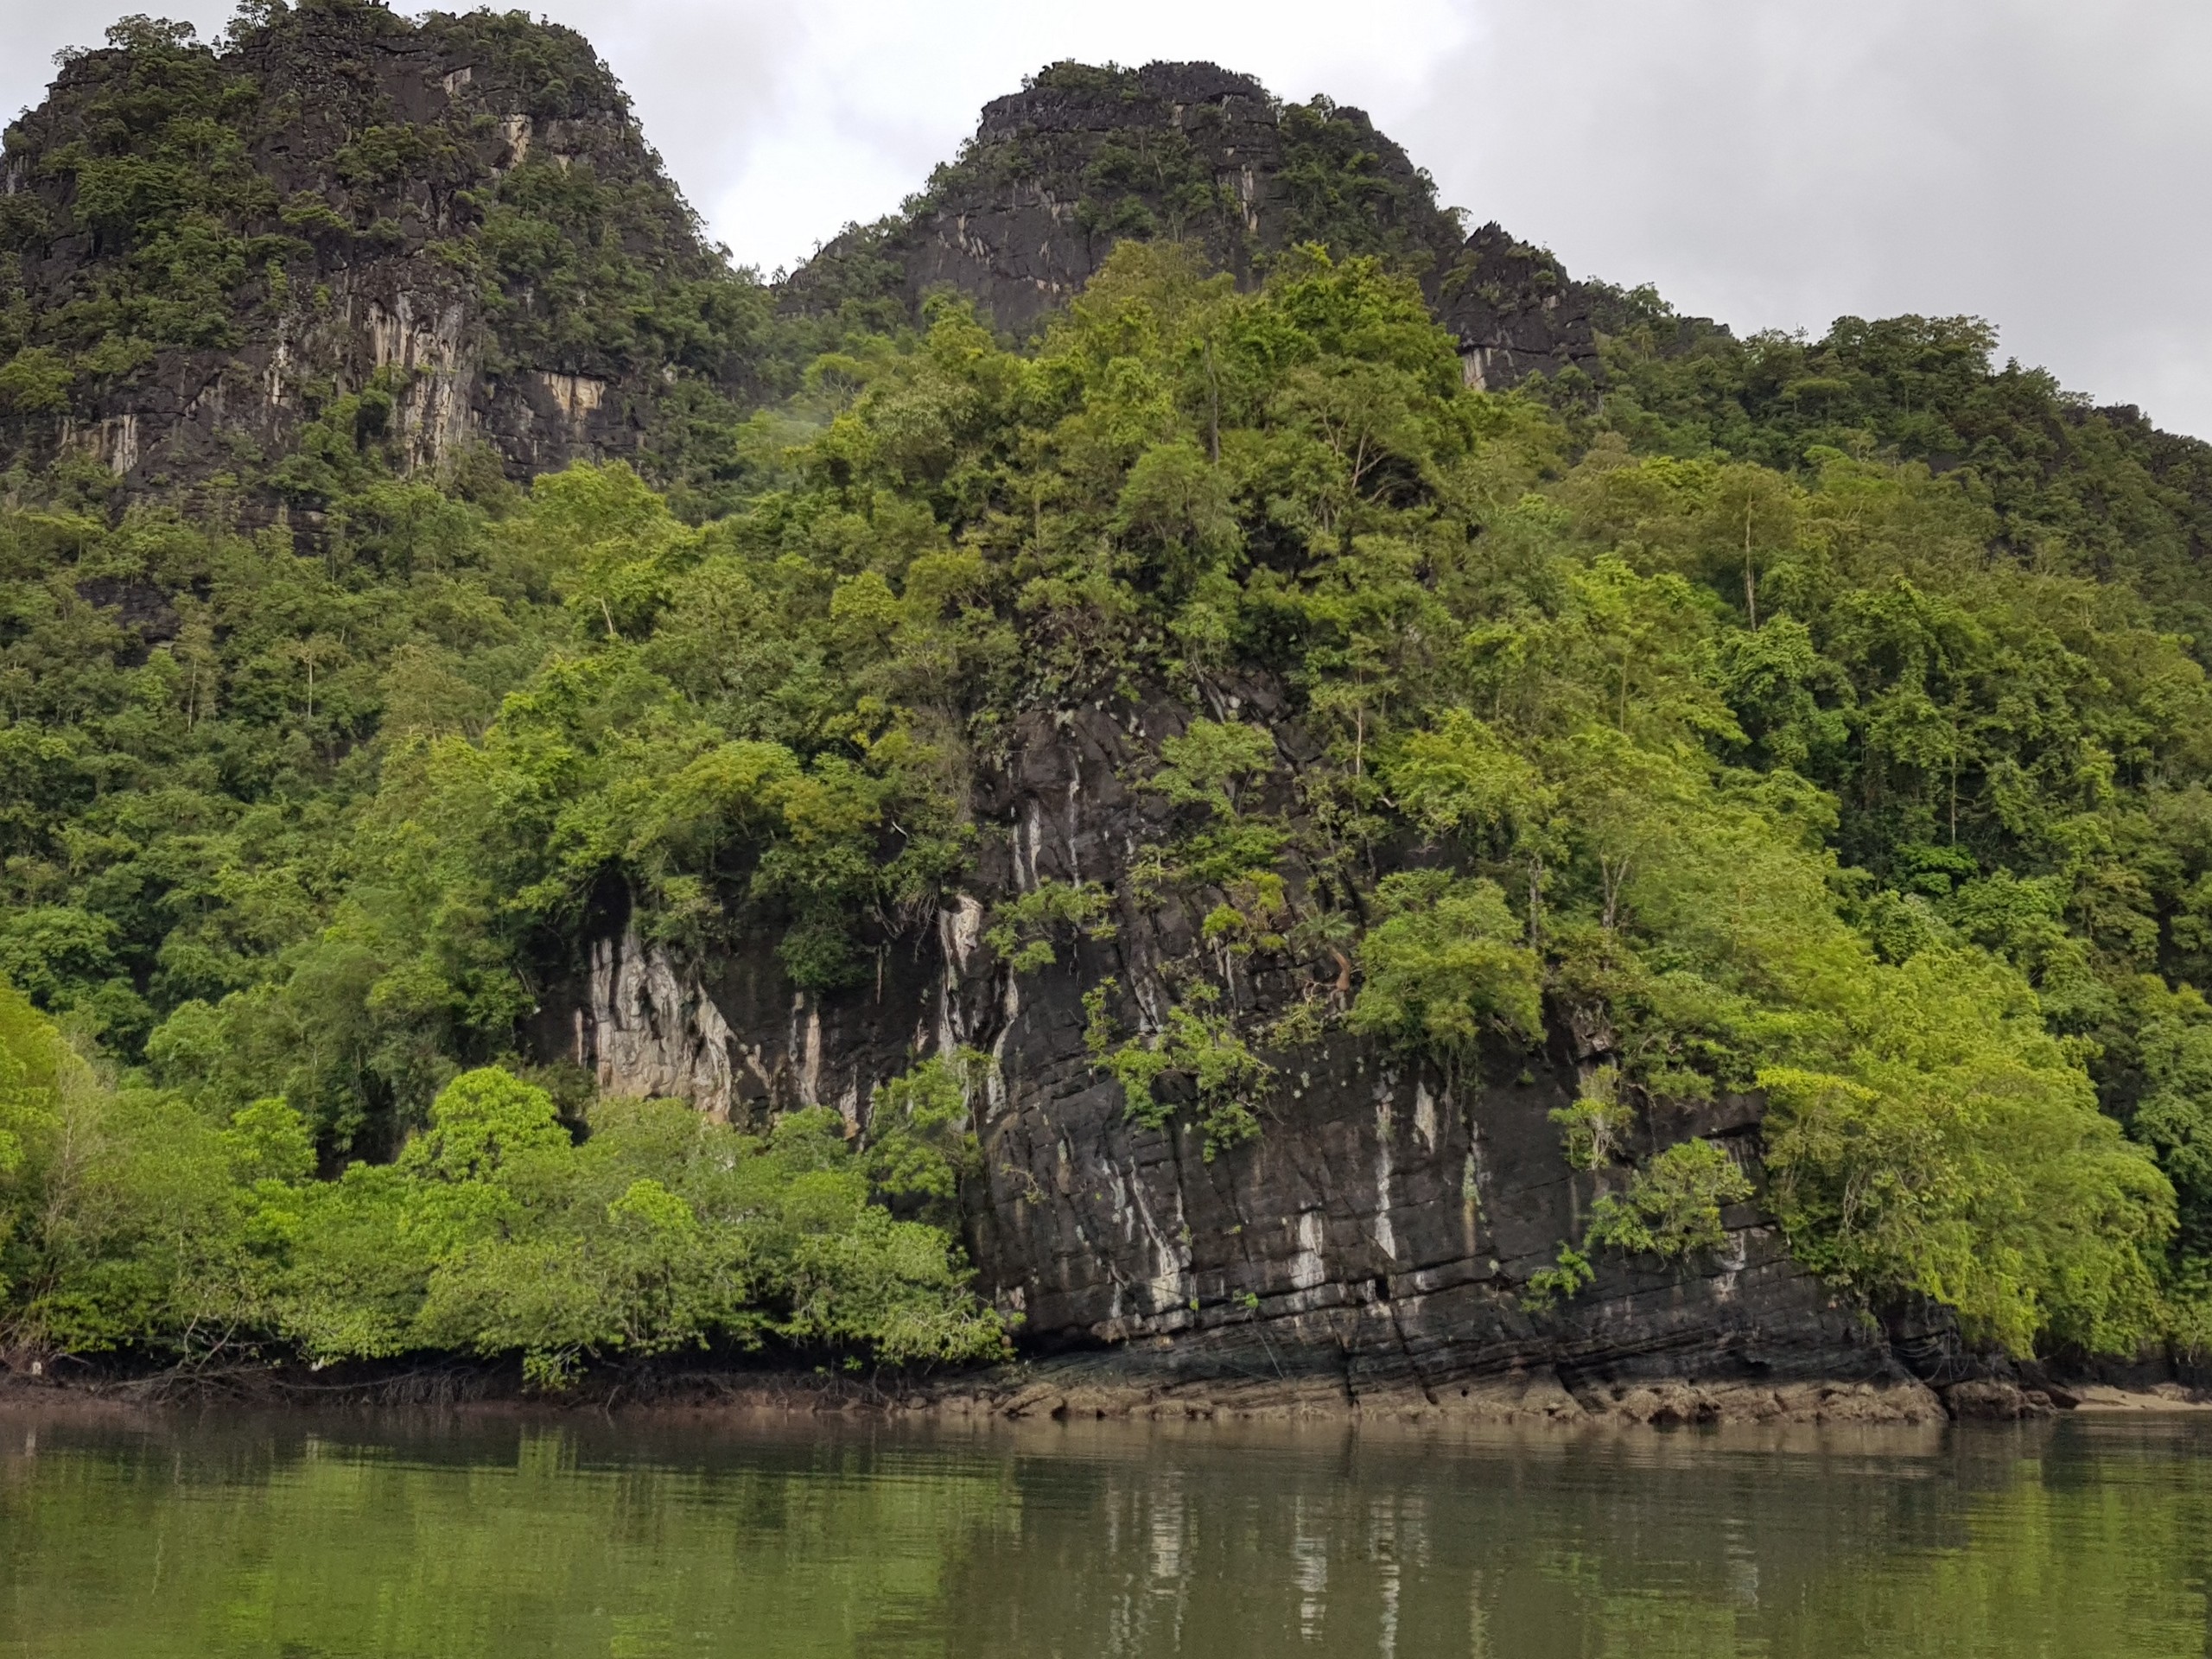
(1375, 1238)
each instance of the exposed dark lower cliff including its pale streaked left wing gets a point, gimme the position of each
(1375, 1240)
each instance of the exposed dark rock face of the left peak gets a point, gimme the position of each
(362, 160)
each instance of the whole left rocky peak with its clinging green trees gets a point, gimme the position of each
(455, 220)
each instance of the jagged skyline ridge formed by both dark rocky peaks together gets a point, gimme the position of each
(459, 225)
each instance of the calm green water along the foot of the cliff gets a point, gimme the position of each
(550, 1538)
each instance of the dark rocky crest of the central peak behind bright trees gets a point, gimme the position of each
(1083, 158)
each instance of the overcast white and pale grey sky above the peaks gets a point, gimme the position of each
(1768, 163)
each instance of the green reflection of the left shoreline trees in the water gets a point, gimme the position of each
(519, 1541)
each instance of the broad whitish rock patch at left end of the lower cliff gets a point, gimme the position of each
(658, 1032)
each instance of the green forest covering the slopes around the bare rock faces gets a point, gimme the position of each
(1806, 722)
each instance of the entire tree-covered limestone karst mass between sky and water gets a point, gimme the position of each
(1443, 828)
